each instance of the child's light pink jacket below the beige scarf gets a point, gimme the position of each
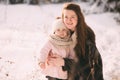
(53, 71)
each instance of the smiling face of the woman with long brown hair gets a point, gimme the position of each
(70, 19)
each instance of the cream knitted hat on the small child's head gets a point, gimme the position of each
(58, 24)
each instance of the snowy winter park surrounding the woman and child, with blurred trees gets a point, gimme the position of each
(25, 25)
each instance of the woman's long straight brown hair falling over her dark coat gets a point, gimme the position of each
(80, 28)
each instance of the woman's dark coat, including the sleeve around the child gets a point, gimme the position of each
(88, 67)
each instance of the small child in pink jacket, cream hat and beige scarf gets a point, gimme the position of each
(58, 42)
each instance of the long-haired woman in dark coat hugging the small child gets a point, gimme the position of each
(87, 65)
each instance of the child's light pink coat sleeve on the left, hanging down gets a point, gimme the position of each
(44, 51)
